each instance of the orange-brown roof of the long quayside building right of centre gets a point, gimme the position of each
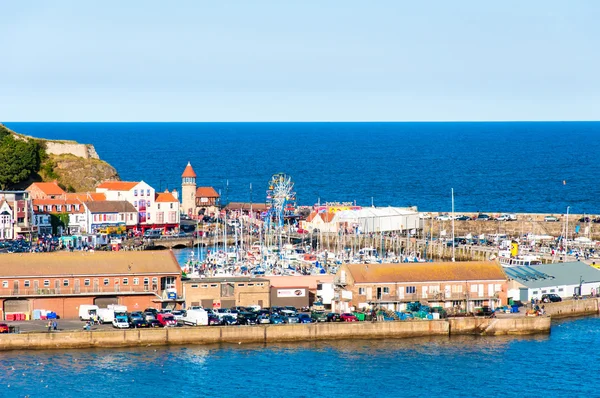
(426, 272)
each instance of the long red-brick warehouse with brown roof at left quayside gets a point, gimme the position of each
(62, 281)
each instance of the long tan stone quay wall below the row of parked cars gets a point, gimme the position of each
(271, 333)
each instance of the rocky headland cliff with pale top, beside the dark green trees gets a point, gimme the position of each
(76, 167)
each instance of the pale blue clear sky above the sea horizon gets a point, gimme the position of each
(299, 60)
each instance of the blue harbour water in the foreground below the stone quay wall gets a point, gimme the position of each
(562, 364)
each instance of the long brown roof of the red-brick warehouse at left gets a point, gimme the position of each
(88, 263)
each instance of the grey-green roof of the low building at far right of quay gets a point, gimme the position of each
(556, 274)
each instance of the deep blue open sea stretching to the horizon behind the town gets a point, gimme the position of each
(512, 167)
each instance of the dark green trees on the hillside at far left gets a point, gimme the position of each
(18, 160)
